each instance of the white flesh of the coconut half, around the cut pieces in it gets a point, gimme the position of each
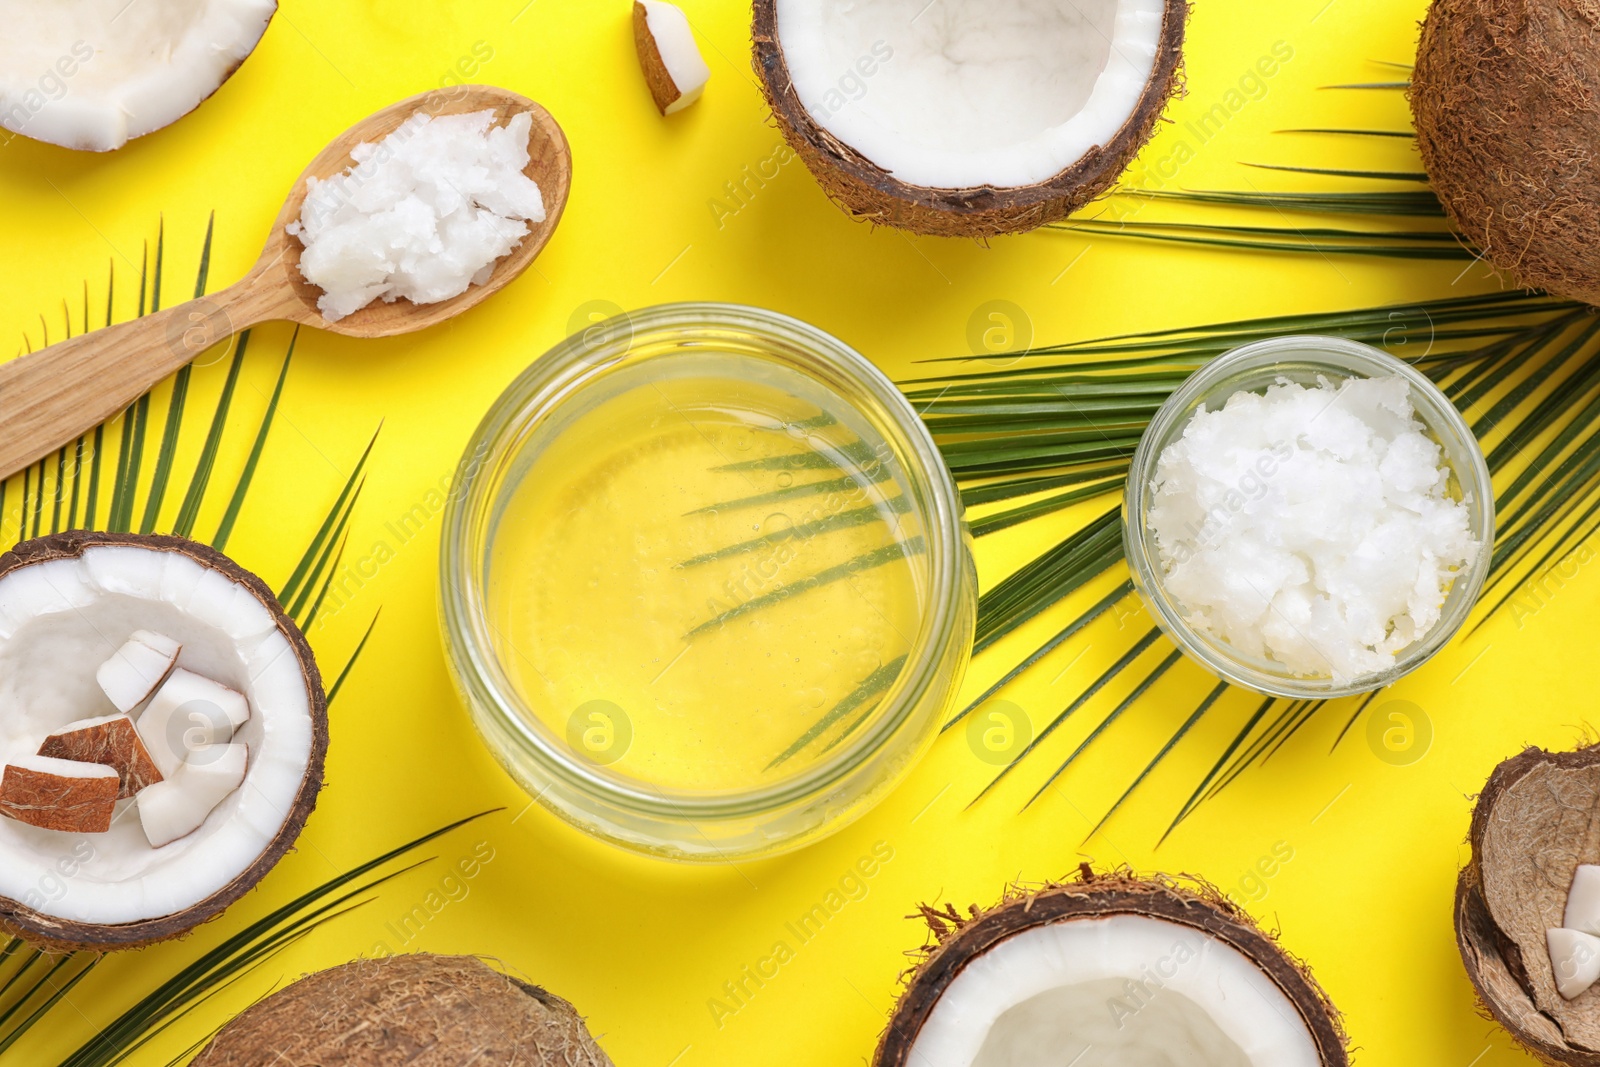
(58, 621)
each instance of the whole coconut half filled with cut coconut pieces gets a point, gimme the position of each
(162, 737)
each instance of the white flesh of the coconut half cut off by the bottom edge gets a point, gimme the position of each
(1124, 991)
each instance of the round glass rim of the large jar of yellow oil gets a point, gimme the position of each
(529, 401)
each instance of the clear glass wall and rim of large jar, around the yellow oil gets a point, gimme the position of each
(687, 823)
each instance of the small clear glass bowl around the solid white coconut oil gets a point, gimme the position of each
(1305, 361)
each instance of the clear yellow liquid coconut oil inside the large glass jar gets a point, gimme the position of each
(708, 577)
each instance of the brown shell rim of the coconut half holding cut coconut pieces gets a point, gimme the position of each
(68, 937)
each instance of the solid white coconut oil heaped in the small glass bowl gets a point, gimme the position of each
(1318, 527)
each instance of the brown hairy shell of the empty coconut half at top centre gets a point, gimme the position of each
(868, 193)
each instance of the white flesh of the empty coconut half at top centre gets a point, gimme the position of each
(962, 94)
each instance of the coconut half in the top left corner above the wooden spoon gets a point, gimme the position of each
(95, 74)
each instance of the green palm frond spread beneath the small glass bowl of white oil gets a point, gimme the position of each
(1526, 369)
